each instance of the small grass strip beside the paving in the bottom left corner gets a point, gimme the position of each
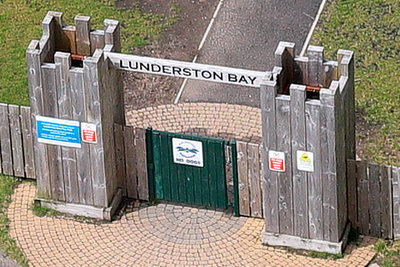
(7, 185)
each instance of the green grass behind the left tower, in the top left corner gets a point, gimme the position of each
(20, 22)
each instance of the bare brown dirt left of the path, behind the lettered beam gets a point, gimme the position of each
(179, 42)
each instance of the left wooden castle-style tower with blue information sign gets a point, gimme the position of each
(76, 97)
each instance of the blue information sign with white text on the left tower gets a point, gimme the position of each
(58, 132)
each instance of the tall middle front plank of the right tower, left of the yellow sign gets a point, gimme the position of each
(298, 136)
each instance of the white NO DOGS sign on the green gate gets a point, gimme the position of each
(187, 152)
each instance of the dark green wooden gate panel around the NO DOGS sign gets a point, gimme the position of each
(204, 186)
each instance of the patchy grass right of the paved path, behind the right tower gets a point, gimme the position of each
(371, 28)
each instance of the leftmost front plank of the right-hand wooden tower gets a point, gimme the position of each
(268, 92)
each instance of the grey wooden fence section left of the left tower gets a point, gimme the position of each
(16, 141)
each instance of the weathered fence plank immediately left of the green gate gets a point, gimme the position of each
(141, 164)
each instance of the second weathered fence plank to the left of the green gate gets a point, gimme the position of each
(130, 162)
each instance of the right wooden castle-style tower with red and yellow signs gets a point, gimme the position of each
(308, 134)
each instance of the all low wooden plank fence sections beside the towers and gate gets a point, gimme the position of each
(373, 190)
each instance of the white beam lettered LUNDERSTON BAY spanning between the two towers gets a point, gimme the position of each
(187, 70)
